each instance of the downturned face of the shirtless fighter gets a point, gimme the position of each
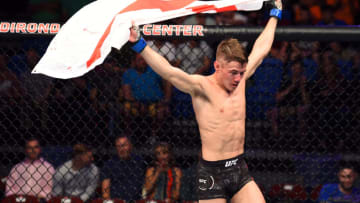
(230, 73)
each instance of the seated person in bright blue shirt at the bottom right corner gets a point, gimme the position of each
(344, 191)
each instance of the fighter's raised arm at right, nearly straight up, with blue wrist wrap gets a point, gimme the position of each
(265, 40)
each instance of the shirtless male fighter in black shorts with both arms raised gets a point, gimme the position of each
(219, 105)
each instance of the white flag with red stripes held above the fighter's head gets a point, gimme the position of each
(85, 40)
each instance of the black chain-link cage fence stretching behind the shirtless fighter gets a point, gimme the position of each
(104, 135)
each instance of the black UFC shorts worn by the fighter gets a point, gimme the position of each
(221, 179)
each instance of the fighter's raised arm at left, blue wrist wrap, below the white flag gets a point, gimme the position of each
(181, 80)
